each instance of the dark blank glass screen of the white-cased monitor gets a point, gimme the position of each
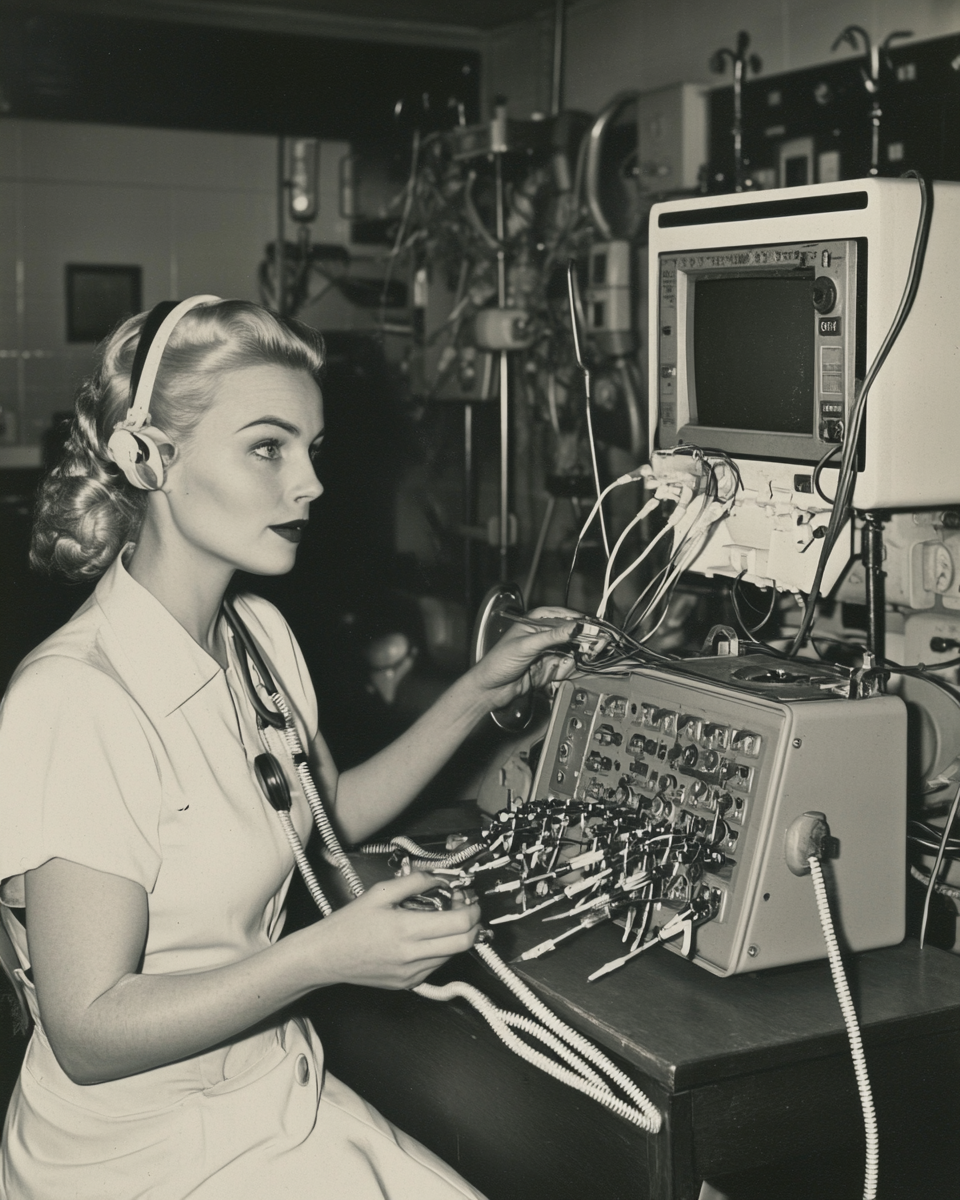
(754, 355)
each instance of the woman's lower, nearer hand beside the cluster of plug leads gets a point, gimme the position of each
(376, 943)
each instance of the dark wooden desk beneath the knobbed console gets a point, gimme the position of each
(748, 1071)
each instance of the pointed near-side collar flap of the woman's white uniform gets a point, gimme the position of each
(167, 667)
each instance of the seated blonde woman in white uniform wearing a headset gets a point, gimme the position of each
(143, 872)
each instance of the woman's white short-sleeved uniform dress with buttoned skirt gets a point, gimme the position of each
(127, 748)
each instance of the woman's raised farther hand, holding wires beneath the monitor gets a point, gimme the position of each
(526, 659)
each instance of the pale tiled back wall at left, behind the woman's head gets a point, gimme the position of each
(194, 211)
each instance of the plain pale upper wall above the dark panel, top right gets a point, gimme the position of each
(616, 45)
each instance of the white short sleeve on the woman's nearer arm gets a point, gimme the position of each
(79, 778)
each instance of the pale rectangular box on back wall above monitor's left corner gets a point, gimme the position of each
(673, 139)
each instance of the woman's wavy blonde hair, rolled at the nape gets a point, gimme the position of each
(87, 511)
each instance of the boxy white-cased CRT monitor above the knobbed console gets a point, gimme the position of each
(767, 309)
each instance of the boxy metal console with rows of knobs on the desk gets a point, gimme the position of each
(731, 752)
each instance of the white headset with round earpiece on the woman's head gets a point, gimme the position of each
(130, 446)
